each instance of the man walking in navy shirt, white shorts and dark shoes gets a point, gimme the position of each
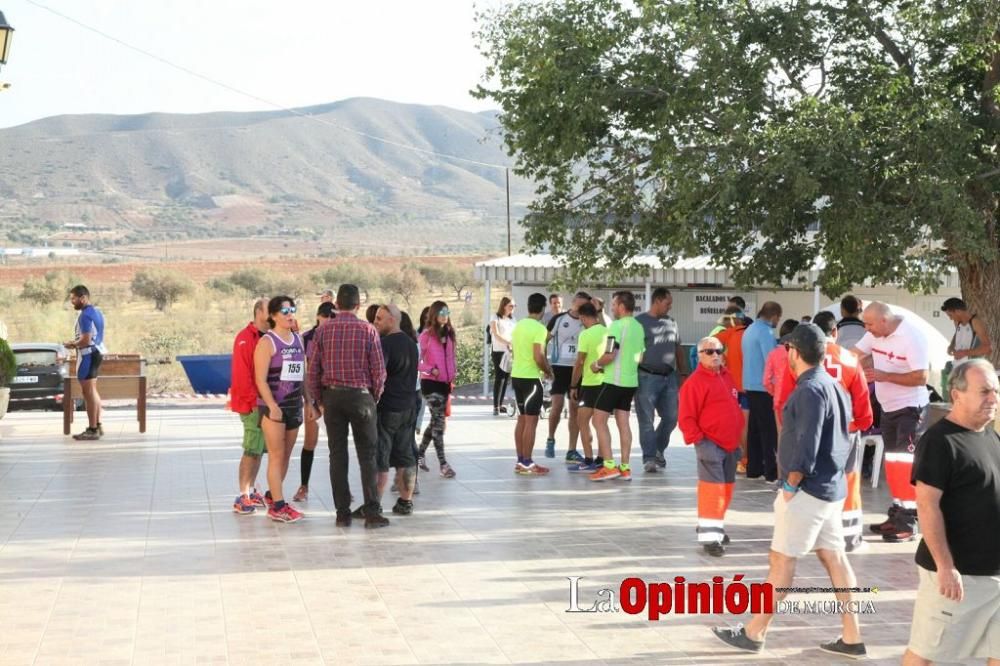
(807, 512)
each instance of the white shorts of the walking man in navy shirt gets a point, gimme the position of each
(804, 524)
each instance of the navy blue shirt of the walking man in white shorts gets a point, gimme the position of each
(814, 439)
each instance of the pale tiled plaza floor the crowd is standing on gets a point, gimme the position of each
(126, 551)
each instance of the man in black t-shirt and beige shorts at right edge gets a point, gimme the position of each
(957, 475)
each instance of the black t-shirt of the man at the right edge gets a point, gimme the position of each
(965, 465)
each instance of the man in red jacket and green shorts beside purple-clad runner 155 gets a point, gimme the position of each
(243, 401)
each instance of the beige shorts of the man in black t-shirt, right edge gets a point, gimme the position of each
(946, 630)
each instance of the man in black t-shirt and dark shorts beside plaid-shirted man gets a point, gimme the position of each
(396, 407)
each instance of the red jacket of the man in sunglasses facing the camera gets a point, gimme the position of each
(709, 409)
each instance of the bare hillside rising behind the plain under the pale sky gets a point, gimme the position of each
(119, 181)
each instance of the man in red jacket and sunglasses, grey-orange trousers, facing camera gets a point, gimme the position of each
(710, 417)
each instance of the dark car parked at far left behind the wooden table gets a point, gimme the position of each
(41, 375)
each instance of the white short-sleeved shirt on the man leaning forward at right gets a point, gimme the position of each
(905, 350)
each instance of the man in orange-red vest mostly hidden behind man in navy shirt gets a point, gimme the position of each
(843, 366)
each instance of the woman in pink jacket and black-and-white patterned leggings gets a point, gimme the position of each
(437, 373)
